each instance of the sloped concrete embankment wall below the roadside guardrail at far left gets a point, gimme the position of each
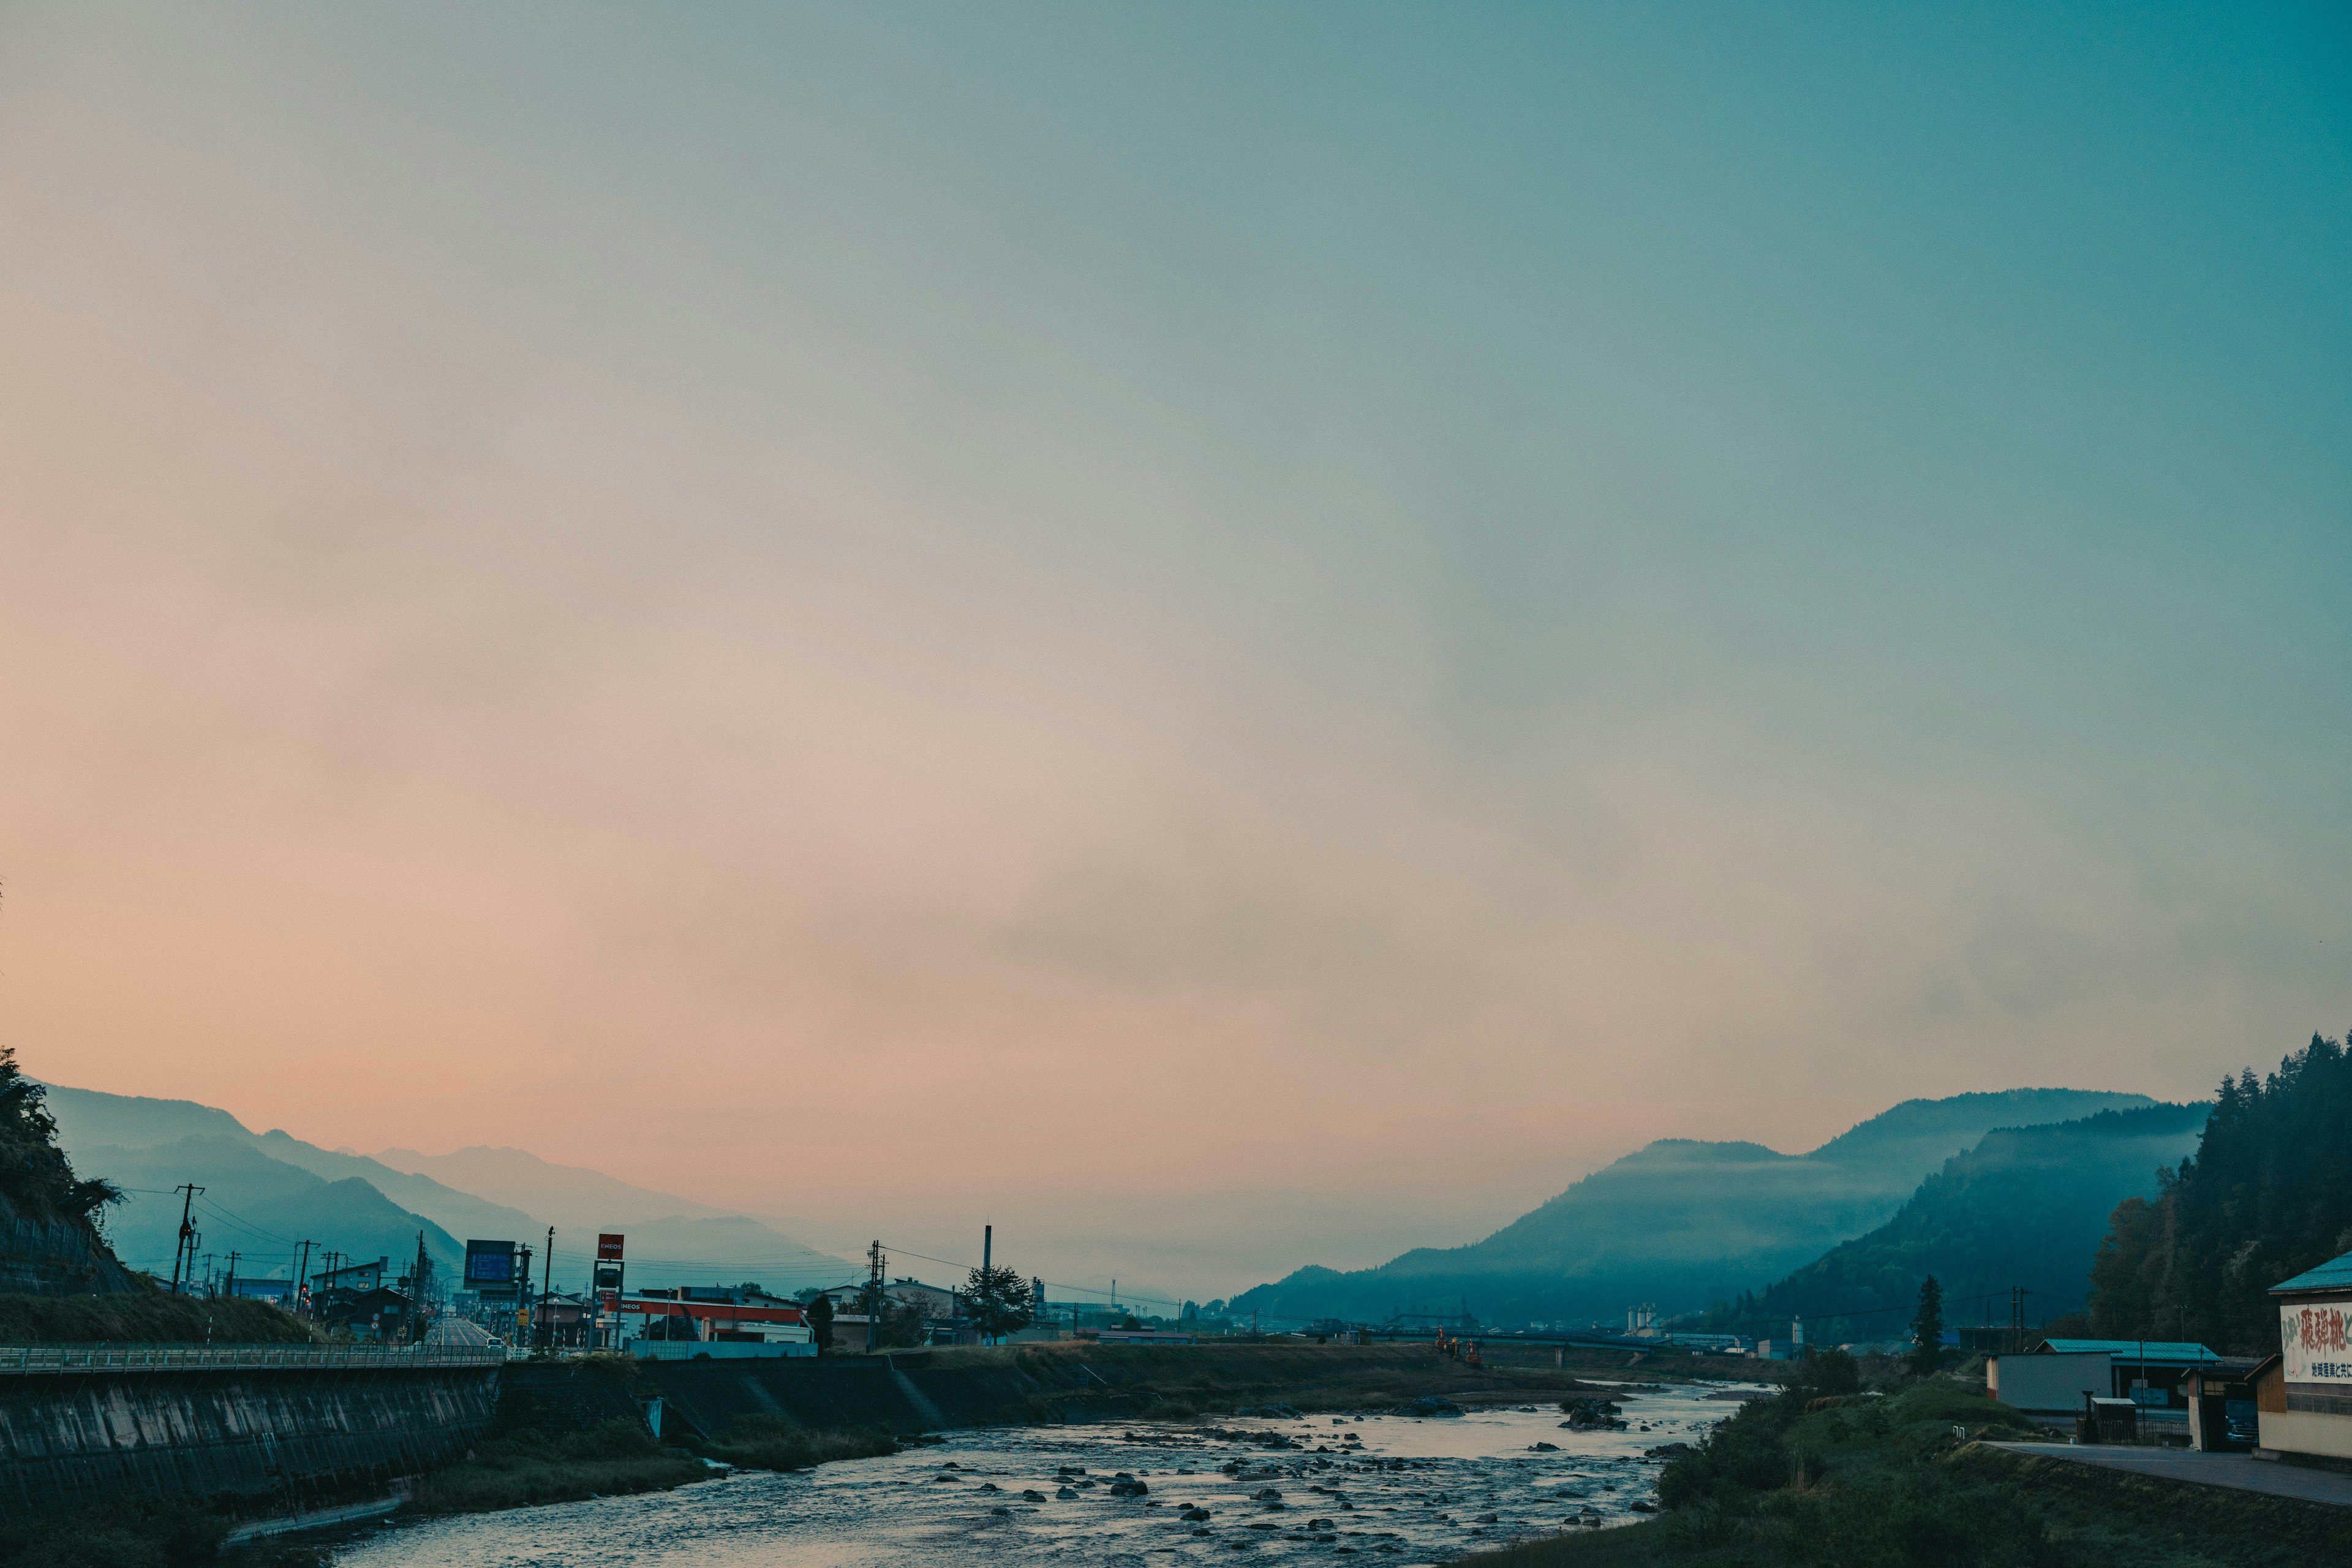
(241, 1438)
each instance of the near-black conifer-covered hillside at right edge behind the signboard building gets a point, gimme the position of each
(2266, 1198)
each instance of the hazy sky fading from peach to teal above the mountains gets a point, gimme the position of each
(1227, 636)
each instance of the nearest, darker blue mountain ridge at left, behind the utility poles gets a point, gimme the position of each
(258, 1207)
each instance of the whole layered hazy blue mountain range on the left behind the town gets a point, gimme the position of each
(267, 1193)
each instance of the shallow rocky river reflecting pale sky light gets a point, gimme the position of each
(1384, 1487)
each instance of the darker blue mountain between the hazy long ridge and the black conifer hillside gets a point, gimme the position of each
(2026, 1207)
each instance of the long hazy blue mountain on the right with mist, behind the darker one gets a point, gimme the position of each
(1681, 1224)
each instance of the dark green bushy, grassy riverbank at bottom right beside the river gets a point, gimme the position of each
(1897, 1480)
